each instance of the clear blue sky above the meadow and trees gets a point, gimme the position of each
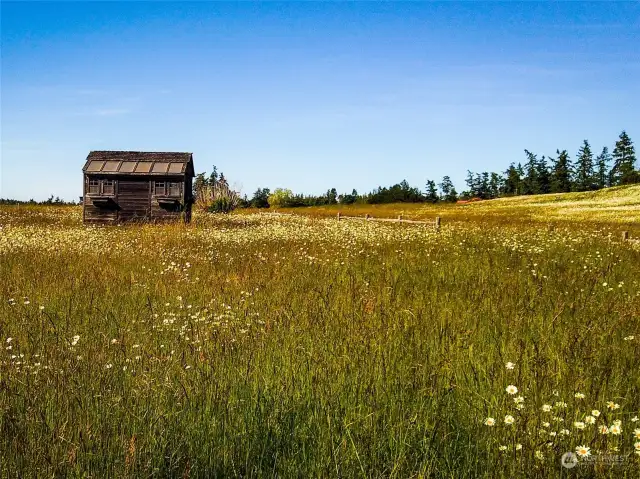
(308, 95)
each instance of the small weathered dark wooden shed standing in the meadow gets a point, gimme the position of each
(122, 186)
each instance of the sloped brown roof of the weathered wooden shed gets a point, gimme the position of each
(139, 163)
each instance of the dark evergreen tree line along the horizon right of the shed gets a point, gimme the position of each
(537, 175)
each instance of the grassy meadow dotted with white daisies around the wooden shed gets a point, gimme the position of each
(259, 345)
